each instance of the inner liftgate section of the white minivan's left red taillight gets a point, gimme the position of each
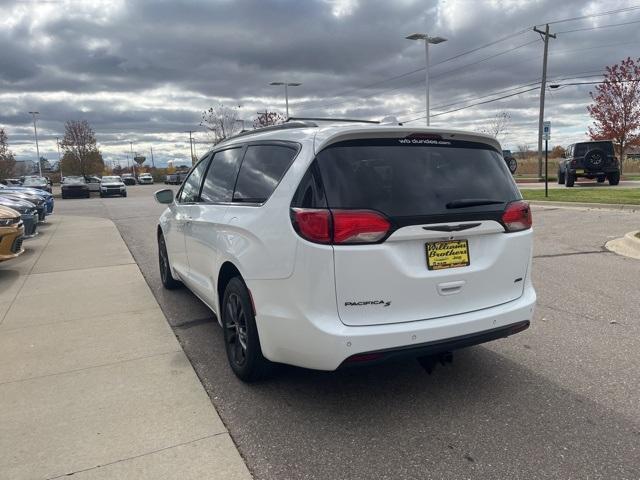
(358, 226)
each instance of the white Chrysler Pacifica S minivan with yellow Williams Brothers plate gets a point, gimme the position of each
(324, 246)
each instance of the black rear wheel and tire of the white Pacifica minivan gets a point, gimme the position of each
(241, 340)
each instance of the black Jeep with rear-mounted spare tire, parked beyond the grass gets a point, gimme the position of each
(590, 160)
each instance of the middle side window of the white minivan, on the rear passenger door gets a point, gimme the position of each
(221, 177)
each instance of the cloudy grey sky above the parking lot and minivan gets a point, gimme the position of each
(143, 71)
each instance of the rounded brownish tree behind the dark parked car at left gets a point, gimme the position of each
(81, 154)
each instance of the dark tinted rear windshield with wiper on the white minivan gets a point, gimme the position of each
(415, 179)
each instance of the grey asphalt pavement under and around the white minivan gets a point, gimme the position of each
(560, 400)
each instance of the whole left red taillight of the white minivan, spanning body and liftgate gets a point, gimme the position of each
(340, 226)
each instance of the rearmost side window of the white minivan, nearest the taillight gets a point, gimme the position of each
(262, 169)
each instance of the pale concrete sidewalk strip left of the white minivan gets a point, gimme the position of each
(92, 380)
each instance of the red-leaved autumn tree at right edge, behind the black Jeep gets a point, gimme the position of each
(616, 106)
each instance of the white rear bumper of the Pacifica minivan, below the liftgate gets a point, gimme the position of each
(322, 344)
